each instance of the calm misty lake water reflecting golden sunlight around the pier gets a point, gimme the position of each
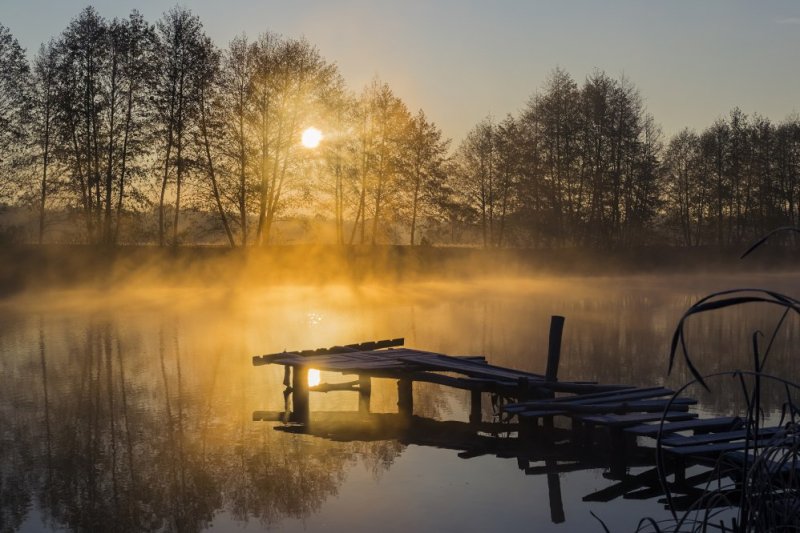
(134, 410)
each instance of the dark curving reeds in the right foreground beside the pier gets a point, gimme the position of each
(756, 489)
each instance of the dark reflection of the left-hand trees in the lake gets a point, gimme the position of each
(99, 435)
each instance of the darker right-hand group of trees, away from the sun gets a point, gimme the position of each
(589, 166)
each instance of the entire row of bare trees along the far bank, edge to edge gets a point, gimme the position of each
(123, 131)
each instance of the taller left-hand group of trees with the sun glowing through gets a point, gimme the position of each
(127, 127)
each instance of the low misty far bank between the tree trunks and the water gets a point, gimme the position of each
(27, 267)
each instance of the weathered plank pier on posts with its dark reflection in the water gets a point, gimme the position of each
(614, 426)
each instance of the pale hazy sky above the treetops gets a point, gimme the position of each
(461, 60)
